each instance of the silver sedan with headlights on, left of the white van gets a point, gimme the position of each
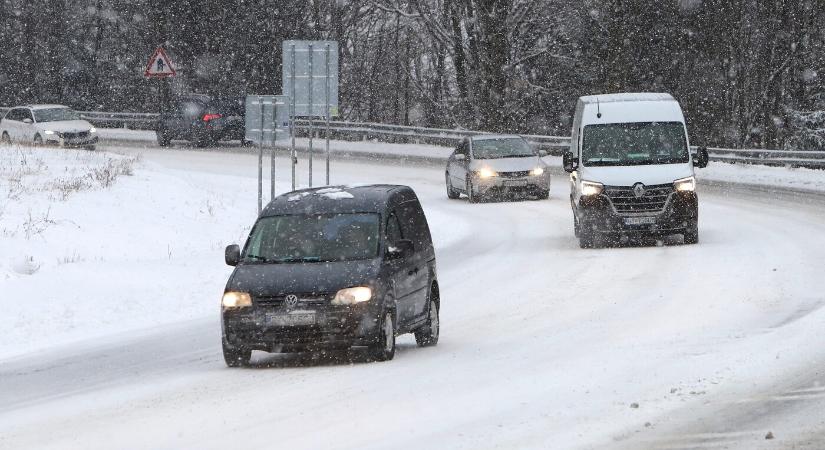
(495, 166)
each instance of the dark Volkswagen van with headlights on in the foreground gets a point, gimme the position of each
(332, 267)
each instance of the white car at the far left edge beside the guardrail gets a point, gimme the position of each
(47, 125)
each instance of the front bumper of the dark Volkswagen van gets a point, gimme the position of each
(335, 326)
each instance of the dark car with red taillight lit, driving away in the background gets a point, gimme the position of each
(202, 120)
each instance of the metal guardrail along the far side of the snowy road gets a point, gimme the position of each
(555, 145)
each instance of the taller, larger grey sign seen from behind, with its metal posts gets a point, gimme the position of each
(310, 80)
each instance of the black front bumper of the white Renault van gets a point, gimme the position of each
(596, 213)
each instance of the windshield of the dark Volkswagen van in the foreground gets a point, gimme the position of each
(313, 238)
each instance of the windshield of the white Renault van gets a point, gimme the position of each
(632, 144)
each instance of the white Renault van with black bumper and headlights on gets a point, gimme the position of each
(631, 169)
